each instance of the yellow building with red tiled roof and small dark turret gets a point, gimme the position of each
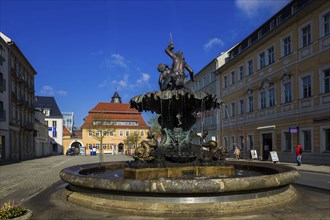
(115, 126)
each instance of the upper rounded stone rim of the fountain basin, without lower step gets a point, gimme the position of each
(272, 176)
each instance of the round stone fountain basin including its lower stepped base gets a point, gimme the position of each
(104, 187)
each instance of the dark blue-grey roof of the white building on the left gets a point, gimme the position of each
(48, 102)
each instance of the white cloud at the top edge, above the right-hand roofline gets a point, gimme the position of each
(252, 7)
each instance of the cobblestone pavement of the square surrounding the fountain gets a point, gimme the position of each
(36, 184)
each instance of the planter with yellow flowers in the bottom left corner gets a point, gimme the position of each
(9, 210)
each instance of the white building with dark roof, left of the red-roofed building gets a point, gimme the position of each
(54, 121)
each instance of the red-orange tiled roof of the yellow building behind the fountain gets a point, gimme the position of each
(115, 112)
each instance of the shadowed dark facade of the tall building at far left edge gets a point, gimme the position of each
(17, 100)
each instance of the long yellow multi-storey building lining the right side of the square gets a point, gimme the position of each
(276, 86)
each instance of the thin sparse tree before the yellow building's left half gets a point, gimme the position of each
(99, 128)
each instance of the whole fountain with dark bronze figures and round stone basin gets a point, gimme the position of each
(175, 177)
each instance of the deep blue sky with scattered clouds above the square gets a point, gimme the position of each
(83, 50)
